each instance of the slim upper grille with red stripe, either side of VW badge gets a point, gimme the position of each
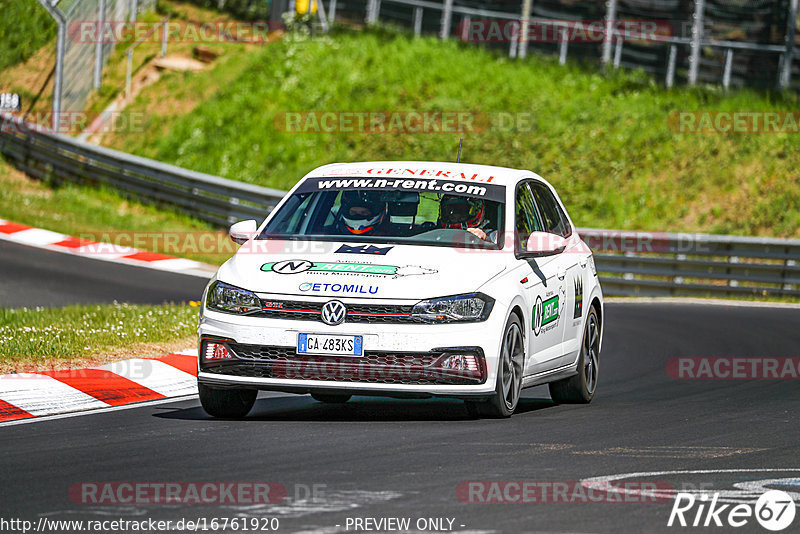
(356, 313)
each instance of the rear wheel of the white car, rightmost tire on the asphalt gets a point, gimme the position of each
(580, 389)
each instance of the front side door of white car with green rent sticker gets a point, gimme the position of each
(544, 286)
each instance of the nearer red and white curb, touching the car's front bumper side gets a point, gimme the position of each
(27, 395)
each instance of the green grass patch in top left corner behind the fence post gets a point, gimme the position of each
(25, 26)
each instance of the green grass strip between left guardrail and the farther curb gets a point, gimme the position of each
(100, 214)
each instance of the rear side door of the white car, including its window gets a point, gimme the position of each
(569, 262)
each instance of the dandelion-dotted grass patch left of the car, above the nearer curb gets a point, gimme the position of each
(43, 337)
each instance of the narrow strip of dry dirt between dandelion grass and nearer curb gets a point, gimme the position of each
(142, 350)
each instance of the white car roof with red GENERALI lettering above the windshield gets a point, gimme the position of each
(423, 170)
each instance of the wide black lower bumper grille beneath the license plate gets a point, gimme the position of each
(410, 368)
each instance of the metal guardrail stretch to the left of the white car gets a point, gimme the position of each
(60, 159)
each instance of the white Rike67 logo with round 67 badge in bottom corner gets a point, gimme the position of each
(774, 510)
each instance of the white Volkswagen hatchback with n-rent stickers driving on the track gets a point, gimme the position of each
(405, 279)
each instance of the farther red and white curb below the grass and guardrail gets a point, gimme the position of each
(46, 239)
